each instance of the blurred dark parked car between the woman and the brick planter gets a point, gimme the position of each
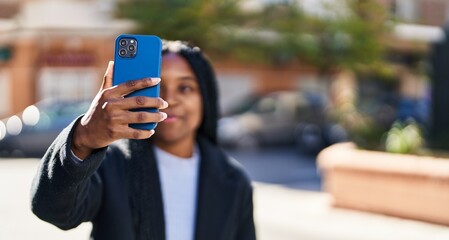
(287, 117)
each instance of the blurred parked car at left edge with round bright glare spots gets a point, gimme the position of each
(30, 133)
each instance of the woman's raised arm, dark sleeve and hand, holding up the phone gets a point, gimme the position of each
(67, 190)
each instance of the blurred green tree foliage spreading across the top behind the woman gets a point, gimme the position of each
(278, 34)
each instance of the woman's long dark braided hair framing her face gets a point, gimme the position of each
(206, 80)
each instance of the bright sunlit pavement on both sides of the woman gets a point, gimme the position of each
(281, 213)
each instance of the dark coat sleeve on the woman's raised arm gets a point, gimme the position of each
(66, 191)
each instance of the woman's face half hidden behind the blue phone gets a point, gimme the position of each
(180, 88)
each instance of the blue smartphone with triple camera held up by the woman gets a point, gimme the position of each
(137, 57)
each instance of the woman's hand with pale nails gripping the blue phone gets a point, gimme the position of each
(108, 116)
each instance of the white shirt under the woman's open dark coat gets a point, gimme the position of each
(179, 177)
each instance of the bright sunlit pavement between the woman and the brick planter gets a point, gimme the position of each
(285, 214)
